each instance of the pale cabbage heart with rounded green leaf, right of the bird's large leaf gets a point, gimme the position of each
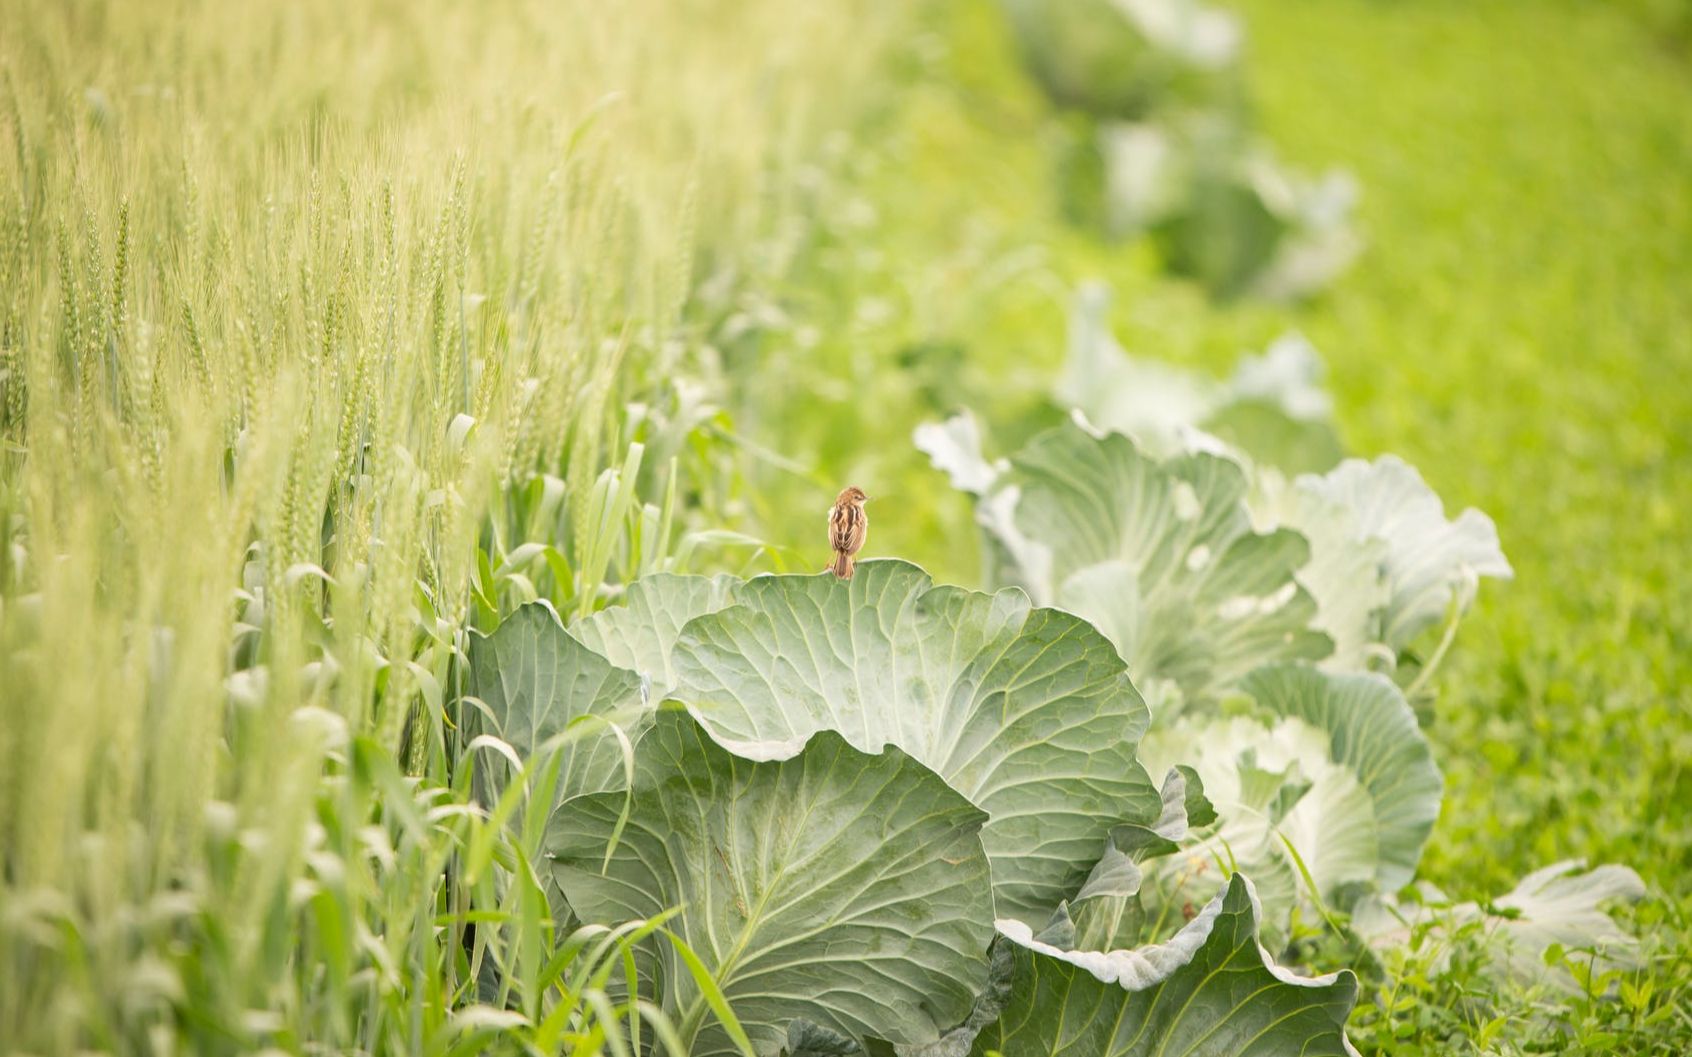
(1327, 777)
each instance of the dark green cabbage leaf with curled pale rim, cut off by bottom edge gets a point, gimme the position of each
(1211, 990)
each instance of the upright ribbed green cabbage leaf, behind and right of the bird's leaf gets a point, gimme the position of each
(1162, 556)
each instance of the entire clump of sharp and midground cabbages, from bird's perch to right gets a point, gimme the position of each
(1087, 809)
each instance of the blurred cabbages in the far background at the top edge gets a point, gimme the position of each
(1158, 143)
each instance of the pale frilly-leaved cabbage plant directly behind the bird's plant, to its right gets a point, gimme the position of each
(1270, 623)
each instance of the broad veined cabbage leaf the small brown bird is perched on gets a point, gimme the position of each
(1028, 713)
